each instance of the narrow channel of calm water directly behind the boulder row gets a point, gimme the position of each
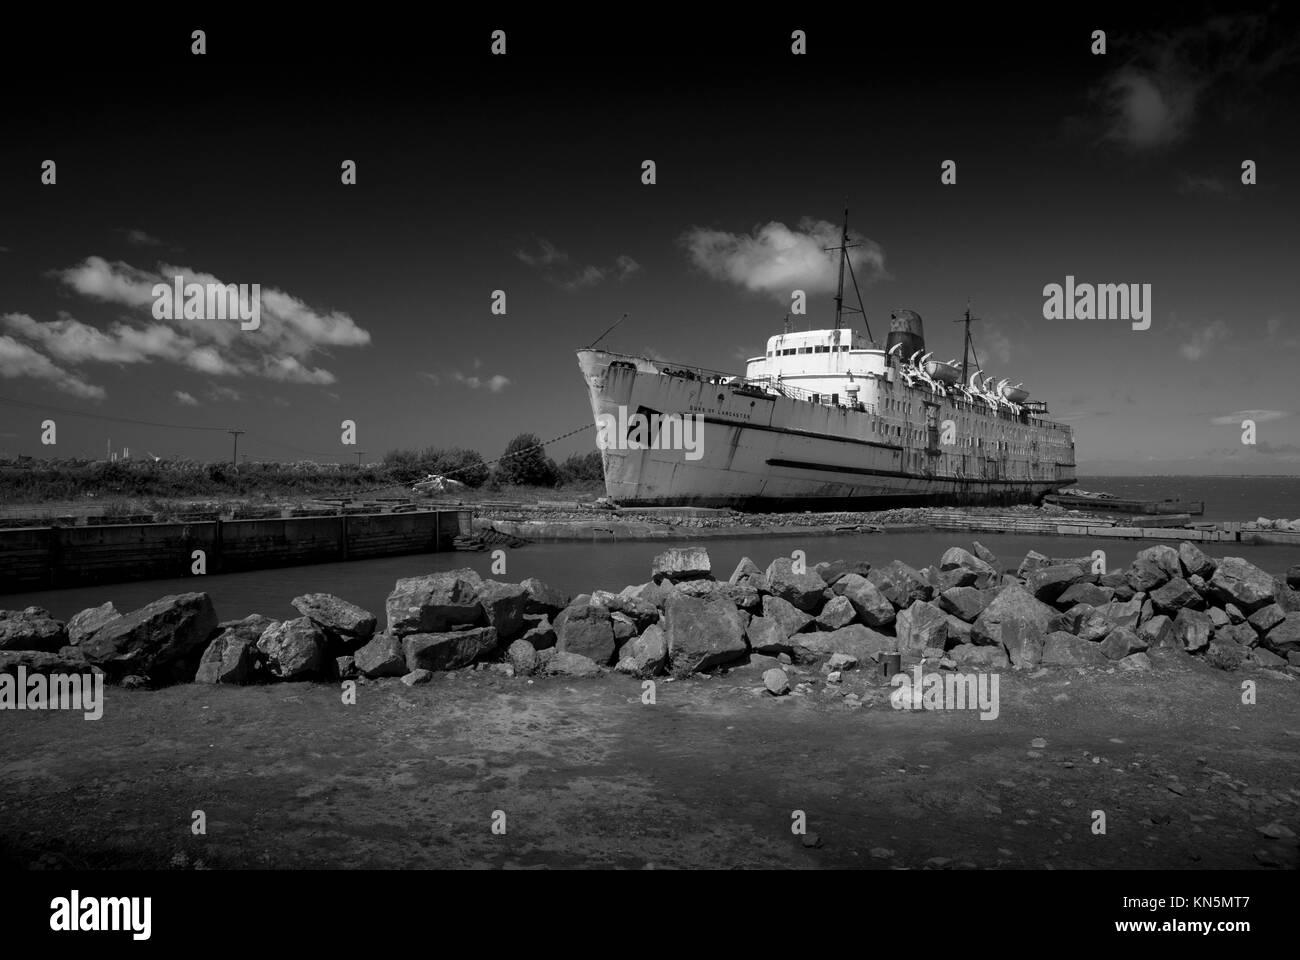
(580, 568)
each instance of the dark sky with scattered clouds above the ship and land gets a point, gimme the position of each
(523, 174)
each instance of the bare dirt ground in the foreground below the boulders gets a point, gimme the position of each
(708, 777)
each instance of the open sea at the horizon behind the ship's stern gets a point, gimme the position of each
(1227, 498)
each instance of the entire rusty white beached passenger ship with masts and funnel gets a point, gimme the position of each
(826, 420)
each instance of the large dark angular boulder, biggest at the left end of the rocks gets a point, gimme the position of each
(163, 641)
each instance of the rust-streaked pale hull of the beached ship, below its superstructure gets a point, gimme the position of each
(768, 453)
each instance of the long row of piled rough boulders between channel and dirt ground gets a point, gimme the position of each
(965, 612)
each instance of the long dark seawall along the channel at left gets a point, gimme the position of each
(54, 557)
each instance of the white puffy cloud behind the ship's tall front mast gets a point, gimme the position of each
(775, 260)
